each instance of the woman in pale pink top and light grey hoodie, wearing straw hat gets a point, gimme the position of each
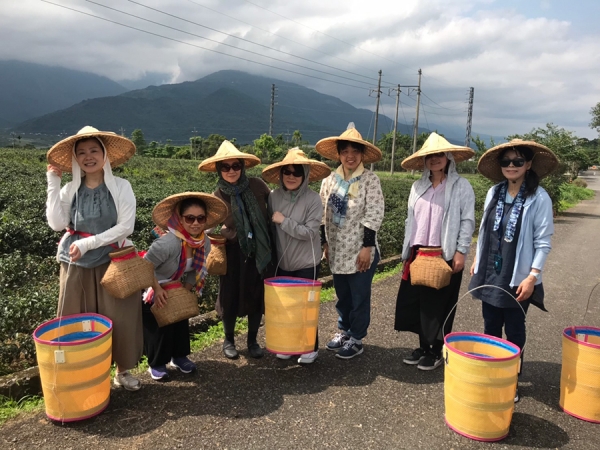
(441, 213)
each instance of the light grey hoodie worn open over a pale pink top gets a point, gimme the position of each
(458, 222)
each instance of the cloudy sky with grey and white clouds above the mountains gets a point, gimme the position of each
(530, 62)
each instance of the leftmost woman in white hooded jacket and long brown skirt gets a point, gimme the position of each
(98, 211)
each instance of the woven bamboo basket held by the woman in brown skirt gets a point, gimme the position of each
(127, 273)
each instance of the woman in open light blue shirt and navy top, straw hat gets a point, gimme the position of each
(514, 236)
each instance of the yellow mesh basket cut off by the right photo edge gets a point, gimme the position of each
(580, 373)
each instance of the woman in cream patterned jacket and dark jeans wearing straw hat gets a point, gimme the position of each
(353, 211)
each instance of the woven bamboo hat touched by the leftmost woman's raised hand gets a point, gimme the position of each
(118, 148)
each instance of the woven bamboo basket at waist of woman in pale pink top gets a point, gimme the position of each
(429, 269)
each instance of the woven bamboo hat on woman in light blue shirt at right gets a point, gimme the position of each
(543, 164)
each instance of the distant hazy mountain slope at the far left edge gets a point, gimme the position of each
(30, 90)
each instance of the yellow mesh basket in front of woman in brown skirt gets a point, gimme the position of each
(74, 354)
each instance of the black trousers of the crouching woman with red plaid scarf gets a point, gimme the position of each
(163, 343)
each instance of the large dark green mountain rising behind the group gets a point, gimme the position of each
(231, 103)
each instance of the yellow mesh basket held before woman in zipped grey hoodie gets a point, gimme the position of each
(291, 314)
